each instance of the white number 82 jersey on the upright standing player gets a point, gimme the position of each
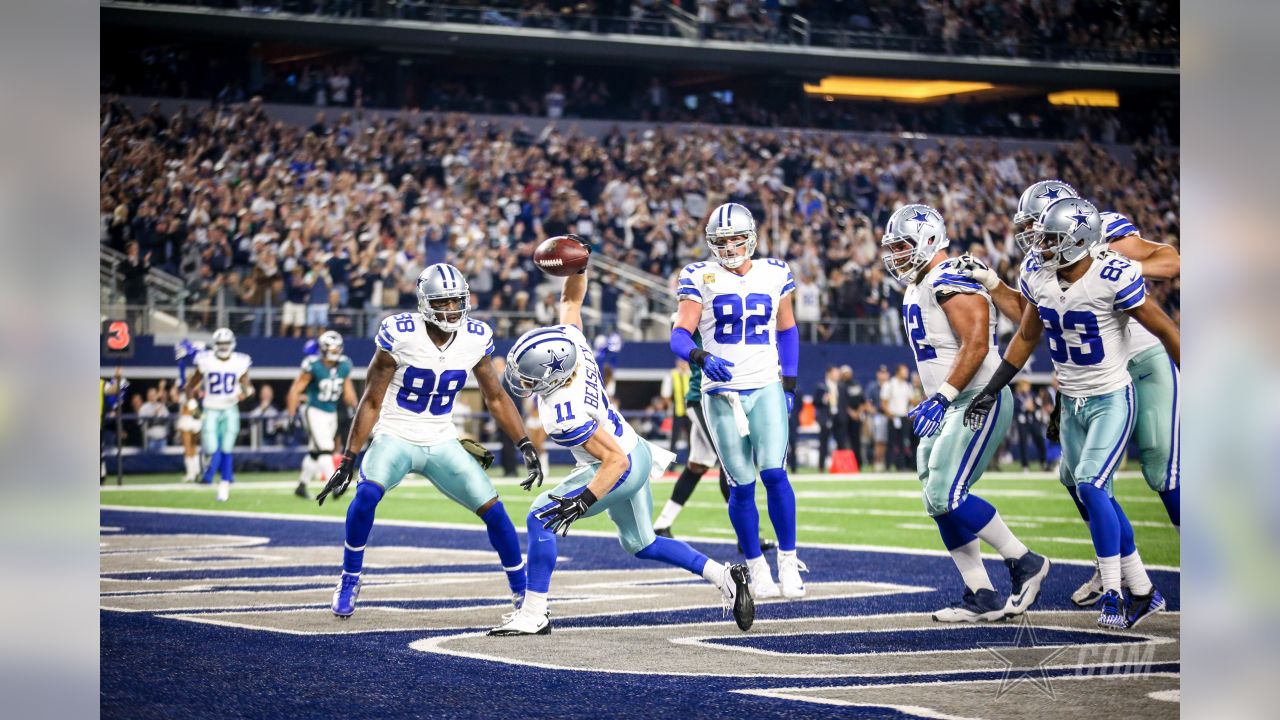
(739, 321)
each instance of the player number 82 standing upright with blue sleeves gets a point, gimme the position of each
(751, 356)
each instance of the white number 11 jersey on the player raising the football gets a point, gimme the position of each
(574, 412)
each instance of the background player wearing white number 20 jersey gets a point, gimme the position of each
(222, 376)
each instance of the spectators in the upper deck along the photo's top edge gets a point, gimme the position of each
(1084, 30)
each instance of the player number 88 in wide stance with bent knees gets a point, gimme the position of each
(420, 364)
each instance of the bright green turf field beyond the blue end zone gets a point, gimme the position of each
(876, 511)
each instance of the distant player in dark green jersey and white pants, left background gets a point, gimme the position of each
(326, 377)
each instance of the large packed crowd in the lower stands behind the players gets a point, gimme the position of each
(345, 213)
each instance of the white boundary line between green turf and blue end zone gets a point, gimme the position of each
(478, 528)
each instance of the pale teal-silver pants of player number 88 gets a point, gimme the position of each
(450, 468)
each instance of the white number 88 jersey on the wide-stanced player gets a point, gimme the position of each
(419, 403)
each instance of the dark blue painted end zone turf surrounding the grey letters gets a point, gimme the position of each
(156, 668)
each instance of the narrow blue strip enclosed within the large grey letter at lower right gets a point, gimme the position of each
(941, 637)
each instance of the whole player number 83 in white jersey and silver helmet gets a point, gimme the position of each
(1086, 304)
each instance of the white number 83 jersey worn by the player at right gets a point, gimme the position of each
(1087, 325)
